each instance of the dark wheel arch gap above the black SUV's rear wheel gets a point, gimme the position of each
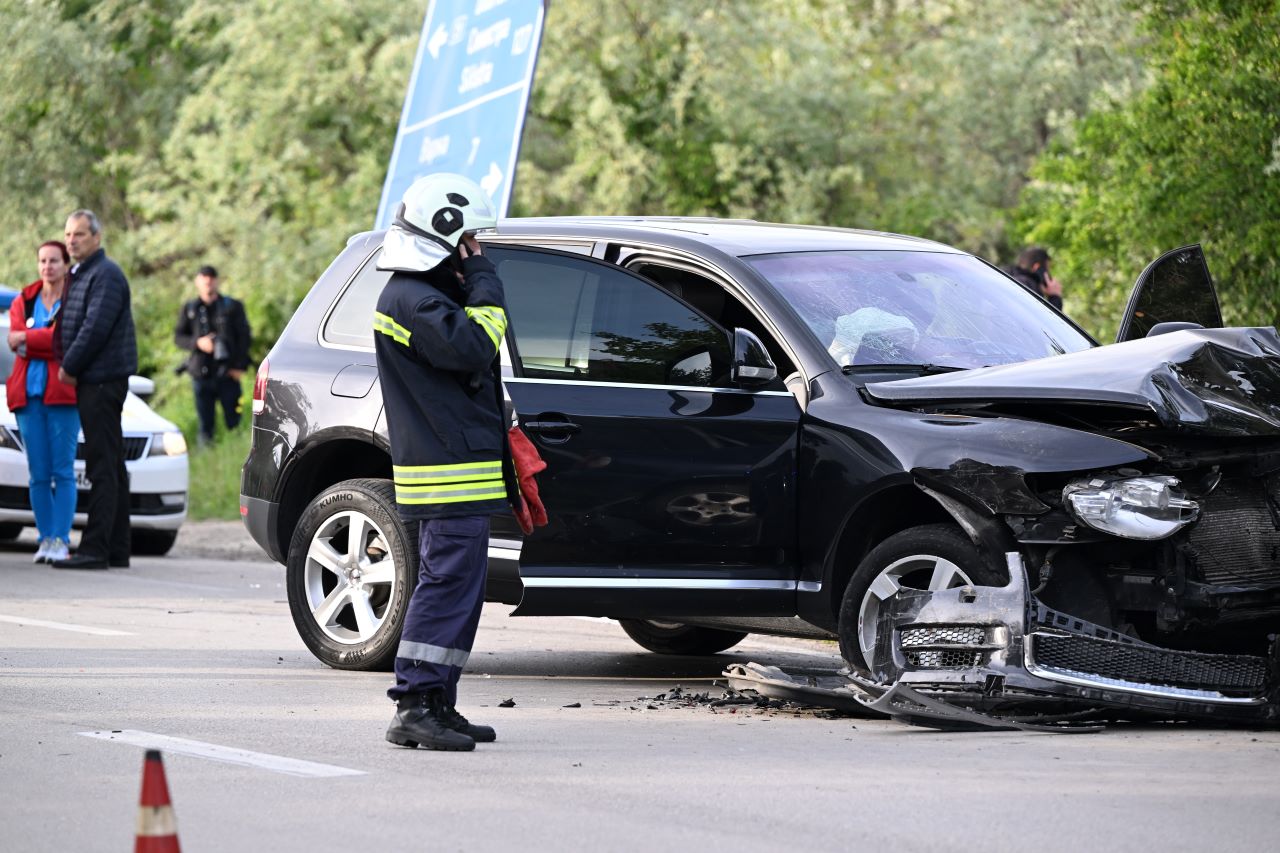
(321, 466)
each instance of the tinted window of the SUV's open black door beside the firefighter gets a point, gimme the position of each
(582, 320)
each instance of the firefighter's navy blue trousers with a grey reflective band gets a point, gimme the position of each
(445, 612)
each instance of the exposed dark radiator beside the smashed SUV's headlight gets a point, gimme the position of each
(1236, 540)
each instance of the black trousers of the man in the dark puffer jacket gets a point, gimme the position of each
(107, 535)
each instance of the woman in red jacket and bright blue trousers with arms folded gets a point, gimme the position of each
(45, 408)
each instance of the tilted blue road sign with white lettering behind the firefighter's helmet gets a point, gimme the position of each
(468, 98)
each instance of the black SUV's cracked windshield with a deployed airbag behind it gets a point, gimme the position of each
(917, 308)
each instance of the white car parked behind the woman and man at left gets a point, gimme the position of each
(156, 458)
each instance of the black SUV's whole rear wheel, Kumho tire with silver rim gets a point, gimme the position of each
(349, 595)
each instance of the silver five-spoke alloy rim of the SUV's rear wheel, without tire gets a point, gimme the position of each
(350, 578)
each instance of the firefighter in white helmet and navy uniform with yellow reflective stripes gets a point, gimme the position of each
(440, 325)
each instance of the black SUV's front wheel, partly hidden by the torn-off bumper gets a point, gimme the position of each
(934, 556)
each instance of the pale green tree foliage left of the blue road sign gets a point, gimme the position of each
(253, 135)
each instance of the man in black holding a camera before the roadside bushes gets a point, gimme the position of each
(216, 330)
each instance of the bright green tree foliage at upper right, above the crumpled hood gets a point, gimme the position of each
(1195, 158)
